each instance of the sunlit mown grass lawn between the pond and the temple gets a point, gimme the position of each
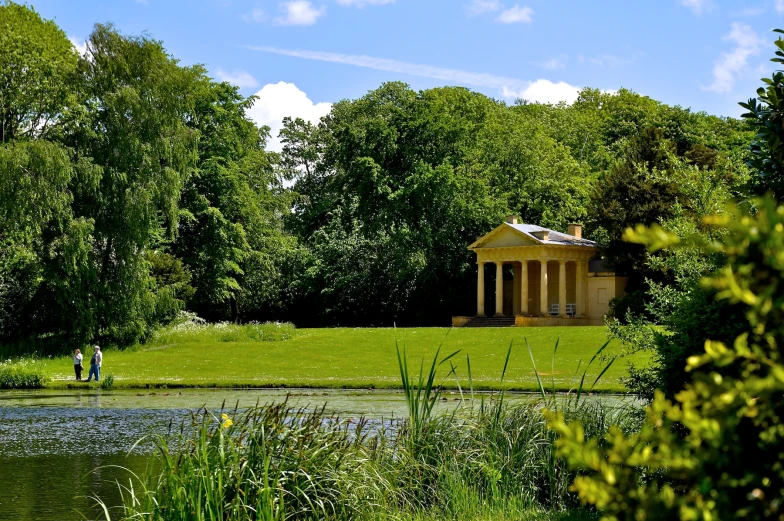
(357, 358)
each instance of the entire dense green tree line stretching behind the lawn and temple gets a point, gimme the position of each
(132, 187)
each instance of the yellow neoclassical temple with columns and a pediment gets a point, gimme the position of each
(541, 278)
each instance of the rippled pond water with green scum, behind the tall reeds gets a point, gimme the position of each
(60, 450)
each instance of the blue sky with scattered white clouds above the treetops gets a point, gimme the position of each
(302, 55)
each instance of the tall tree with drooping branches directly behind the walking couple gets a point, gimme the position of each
(132, 130)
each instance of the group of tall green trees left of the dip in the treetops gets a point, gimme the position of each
(129, 186)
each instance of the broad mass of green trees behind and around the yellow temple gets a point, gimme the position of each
(395, 184)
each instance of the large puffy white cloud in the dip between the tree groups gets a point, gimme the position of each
(279, 100)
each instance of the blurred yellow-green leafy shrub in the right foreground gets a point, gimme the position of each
(716, 452)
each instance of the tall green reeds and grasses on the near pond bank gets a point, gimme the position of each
(483, 460)
